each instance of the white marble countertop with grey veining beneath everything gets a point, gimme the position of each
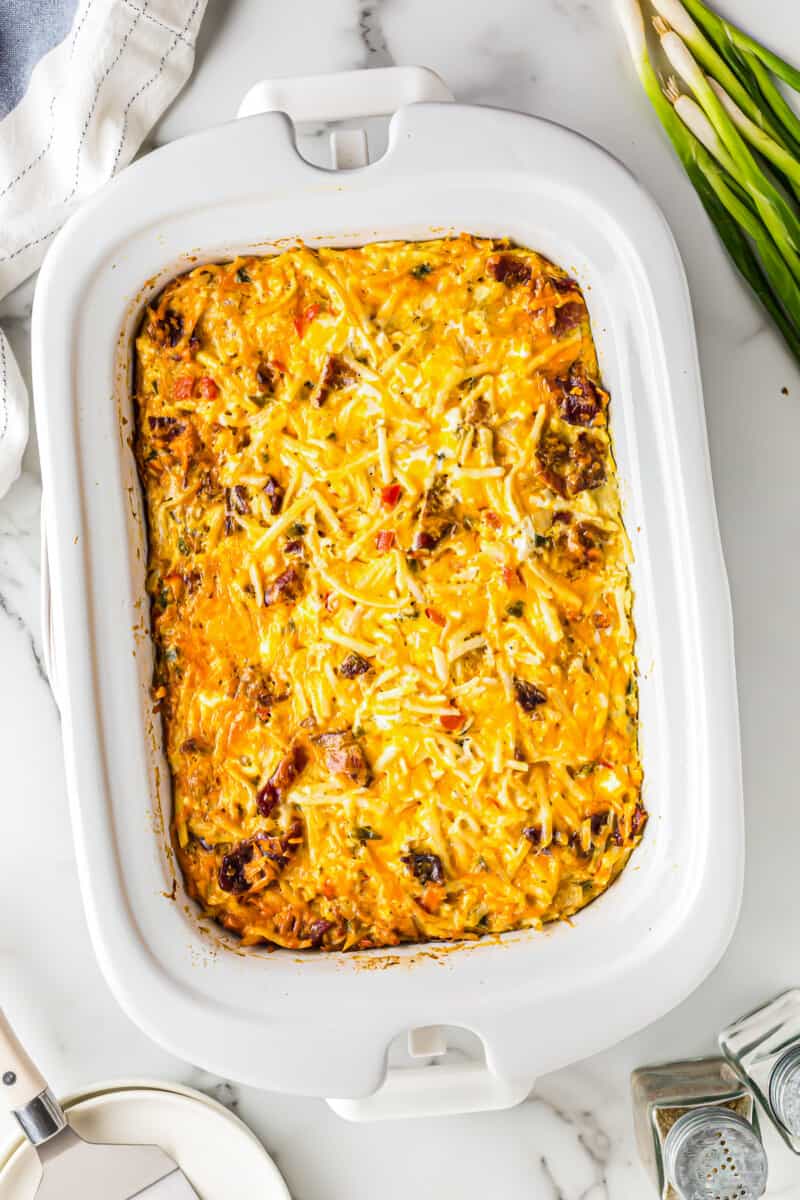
(573, 1139)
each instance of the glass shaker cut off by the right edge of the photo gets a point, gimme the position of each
(765, 1049)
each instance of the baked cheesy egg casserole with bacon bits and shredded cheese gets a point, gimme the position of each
(390, 593)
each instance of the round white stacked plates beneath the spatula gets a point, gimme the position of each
(218, 1153)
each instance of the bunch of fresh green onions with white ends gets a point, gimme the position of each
(737, 139)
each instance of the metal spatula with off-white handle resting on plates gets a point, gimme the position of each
(75, 1169)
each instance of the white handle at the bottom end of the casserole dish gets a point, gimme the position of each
(436, 1090)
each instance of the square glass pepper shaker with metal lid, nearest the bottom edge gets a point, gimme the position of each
(697, 1132)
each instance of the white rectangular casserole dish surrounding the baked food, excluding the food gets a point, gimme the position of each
(322, 1024)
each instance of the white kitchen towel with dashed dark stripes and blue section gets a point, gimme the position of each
(82, 83)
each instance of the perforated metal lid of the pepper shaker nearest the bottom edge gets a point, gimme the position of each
(713, 1154)
